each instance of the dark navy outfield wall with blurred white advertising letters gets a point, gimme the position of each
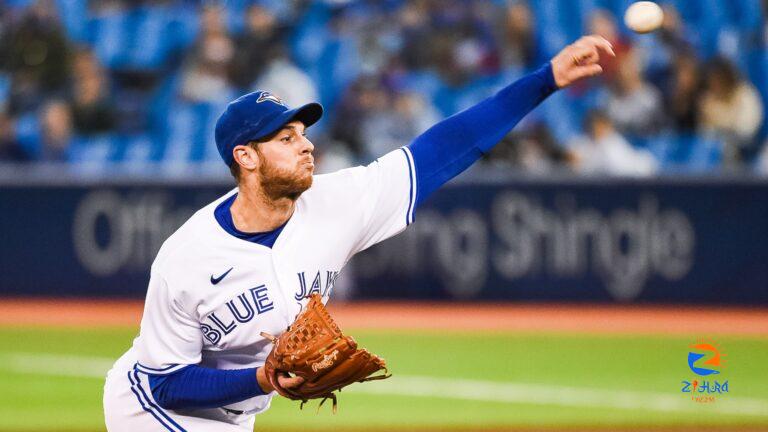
(663, 241)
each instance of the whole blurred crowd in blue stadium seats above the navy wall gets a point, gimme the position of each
(141, 82)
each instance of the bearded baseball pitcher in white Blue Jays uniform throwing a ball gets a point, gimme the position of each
(226, 286)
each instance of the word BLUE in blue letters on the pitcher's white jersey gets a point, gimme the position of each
(241, 309)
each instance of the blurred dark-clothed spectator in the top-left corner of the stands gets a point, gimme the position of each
(36, 53)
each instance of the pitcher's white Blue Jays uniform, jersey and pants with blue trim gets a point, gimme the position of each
(211, 294)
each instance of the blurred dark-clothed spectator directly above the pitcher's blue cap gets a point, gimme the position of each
(256, 47)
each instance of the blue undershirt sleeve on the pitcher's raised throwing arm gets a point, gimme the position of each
(452, 145)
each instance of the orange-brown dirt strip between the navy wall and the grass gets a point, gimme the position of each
(593, 319)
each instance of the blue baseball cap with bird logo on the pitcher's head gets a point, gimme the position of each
(258, 115)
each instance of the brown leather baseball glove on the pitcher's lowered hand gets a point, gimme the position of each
(314, 348)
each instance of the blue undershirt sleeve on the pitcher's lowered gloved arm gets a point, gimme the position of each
(199, 387)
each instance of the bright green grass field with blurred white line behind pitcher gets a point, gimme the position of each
(49, 380)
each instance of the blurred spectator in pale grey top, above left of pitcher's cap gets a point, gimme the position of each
(206, 72)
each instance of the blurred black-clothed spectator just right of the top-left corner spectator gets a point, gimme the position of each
(92, 111)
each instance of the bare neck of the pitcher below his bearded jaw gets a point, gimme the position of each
(254, 211)
